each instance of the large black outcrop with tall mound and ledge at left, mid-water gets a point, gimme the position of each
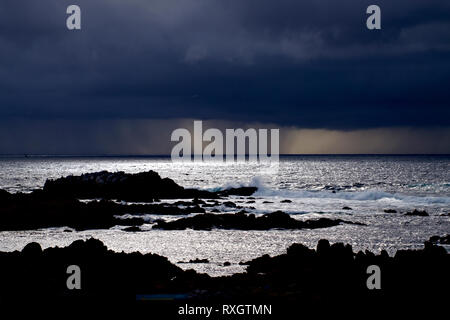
(58, 205)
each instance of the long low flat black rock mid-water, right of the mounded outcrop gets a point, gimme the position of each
(242, 221)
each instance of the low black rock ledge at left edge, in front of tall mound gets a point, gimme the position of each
(41, 210)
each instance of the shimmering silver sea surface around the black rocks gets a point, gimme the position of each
(318, 186)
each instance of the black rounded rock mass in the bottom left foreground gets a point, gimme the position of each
(104, 274)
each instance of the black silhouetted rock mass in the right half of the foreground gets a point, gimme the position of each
(336, 275)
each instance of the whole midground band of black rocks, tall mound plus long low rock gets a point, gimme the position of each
(58, 205)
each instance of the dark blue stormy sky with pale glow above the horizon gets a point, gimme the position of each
(297, 65)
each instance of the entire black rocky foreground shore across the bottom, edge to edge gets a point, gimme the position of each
(302, 277)
